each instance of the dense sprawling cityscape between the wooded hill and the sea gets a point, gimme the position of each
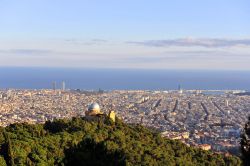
(205, 119)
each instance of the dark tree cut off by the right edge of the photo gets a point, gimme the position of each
(245, 143)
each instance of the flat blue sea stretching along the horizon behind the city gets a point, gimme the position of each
(122, 79)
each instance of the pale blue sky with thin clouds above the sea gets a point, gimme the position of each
(144, 34)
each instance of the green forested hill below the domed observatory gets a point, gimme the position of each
(101, 142)
